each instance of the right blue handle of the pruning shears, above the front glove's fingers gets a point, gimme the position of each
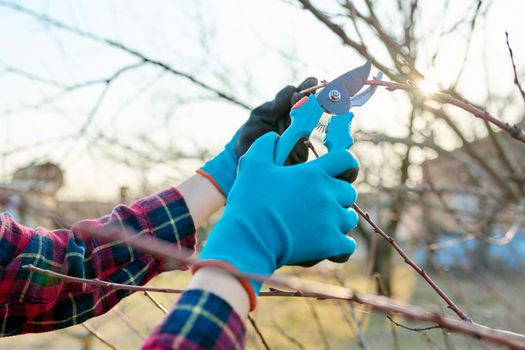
(338, 136)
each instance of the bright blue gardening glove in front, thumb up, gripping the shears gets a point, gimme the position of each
(284, 215)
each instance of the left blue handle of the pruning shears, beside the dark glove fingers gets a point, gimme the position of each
(305, 115)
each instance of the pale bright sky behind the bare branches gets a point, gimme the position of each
(252, 48)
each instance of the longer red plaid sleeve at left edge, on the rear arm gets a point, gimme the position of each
(31, 302)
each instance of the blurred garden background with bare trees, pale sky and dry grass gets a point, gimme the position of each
(102, 102)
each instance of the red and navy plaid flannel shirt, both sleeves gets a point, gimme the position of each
(32, 302)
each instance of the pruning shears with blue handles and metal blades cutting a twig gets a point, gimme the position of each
(336, 98)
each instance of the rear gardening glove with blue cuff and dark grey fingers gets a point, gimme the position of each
(273, 115)
